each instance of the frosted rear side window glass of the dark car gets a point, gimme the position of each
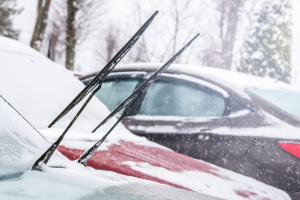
(185, 100)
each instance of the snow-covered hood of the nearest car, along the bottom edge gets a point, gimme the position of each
(88, 184)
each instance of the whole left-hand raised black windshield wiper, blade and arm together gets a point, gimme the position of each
(93, 87)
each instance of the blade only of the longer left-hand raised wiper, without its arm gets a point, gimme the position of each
(105, 71)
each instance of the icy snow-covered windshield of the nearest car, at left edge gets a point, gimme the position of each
(20, 143)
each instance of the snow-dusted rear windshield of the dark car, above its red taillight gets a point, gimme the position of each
(287, 101)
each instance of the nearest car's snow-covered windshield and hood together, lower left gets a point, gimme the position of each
(21, 144)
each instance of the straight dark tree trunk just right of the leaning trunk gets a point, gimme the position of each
(71, 35)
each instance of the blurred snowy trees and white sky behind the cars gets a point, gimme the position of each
(259, 37)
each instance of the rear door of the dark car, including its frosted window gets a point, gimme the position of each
(177, 106)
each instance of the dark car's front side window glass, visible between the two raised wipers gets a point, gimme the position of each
(114, 92)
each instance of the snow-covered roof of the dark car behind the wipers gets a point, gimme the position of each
(233, 81)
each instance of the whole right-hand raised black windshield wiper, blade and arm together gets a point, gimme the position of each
(130, 102)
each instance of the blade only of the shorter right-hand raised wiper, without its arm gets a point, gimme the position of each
(140, 89)
